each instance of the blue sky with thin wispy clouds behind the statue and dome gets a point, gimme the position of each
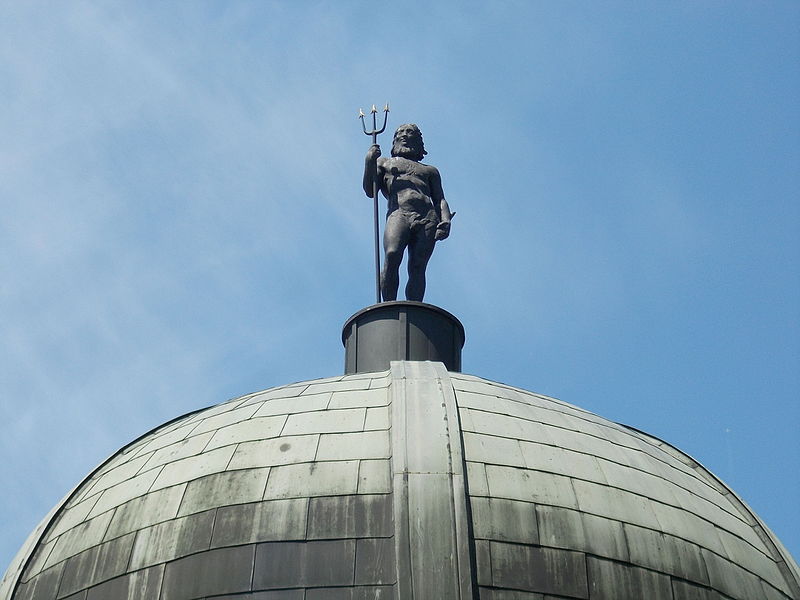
(182, 219)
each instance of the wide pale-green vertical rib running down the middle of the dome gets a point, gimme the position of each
(430, 503)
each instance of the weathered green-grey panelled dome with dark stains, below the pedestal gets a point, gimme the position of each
(414, 482)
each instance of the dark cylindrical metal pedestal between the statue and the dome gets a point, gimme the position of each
(379, 334)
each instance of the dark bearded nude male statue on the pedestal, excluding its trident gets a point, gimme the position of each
(417, 214)
